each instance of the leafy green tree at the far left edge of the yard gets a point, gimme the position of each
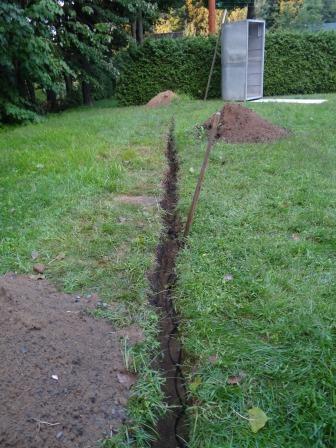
(28, 58)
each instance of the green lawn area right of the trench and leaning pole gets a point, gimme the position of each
(256, 287)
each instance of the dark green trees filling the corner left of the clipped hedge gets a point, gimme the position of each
(62, 49)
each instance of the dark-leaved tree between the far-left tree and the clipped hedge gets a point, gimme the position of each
(86, 35)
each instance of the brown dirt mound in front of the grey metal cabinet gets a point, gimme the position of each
(241, 125)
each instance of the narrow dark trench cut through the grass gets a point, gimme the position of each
(172, 428)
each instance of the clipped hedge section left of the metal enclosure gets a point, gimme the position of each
(177, 64)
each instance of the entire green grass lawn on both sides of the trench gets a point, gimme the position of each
(265, 220)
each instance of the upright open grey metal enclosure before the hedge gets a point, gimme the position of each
(243, 52)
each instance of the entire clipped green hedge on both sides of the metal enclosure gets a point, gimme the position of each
(295, 64)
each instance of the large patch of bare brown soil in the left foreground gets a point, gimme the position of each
(45, 334)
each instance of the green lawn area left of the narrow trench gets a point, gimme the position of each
(59, 186)
